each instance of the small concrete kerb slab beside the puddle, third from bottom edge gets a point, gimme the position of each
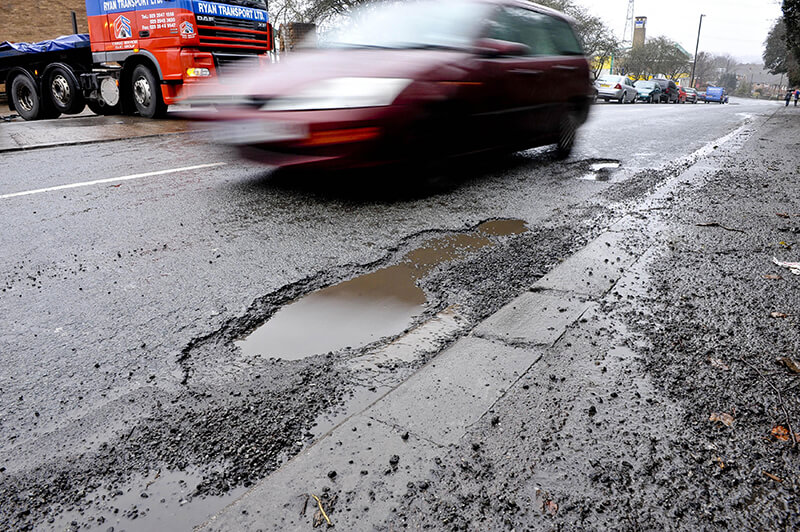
(534, 318)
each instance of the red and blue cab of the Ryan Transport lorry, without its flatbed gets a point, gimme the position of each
(182, 43)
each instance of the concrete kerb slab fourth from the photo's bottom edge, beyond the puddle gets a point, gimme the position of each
(593, 270)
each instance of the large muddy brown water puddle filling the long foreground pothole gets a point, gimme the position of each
(363, 310)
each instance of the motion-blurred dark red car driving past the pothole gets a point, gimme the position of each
(414, 81)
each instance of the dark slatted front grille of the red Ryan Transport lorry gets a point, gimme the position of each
(233, 35)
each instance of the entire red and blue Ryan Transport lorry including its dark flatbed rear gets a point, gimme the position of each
(139, 57)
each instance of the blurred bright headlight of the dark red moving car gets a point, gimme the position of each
(340, 93)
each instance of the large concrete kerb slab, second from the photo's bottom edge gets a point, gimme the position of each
(442, 400)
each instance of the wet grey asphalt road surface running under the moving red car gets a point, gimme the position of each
(130, 268)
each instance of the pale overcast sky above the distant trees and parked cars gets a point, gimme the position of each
(736, 27)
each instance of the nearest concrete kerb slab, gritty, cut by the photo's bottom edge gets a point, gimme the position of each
(366, 485)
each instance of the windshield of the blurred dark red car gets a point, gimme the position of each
(427, 24)
